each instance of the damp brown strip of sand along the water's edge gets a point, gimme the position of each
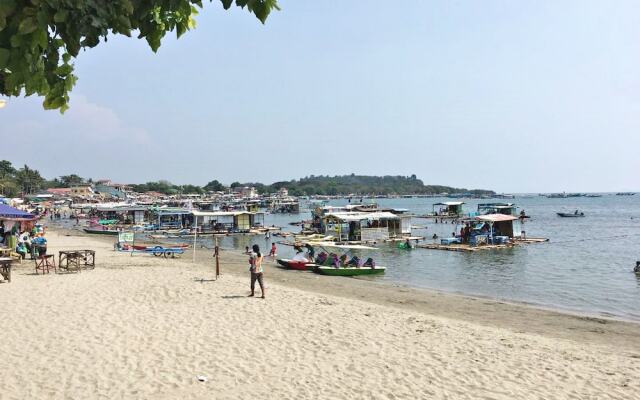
(517, 316)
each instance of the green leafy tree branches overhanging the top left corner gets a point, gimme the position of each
(40, 38)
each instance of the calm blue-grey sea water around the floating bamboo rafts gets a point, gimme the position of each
(587, 266)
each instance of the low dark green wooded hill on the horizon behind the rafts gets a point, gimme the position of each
(364, 185)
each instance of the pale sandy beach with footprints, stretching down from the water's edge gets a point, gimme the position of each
(147, 327)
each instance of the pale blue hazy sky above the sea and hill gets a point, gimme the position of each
(537, 96)
